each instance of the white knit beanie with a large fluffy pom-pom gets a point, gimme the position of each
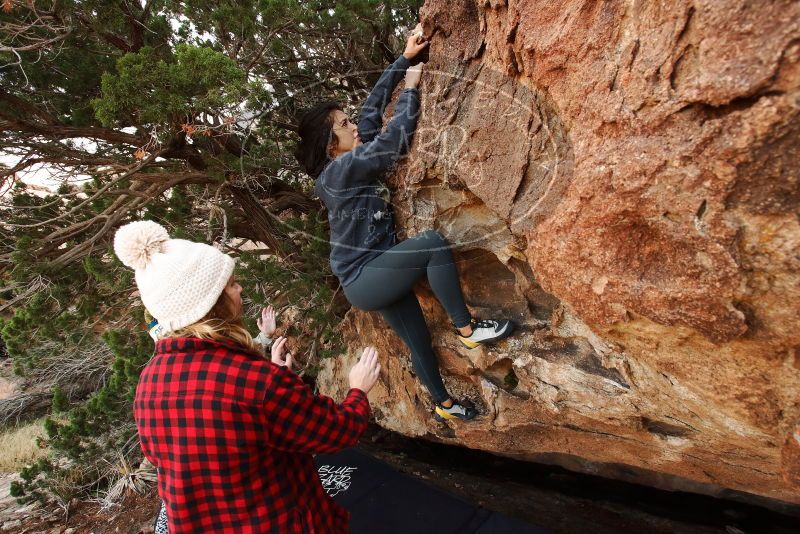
(179, 281)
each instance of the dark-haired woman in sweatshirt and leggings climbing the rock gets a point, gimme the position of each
(376, 271)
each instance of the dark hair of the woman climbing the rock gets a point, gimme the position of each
(316, 135)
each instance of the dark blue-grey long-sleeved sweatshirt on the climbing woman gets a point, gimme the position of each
(351, 186)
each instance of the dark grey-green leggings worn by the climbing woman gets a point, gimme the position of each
(386, 284)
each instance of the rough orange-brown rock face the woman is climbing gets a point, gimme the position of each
(621, 178)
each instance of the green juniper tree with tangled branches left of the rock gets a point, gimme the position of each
(180, 112)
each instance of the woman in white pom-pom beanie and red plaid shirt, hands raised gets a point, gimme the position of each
(231, 434)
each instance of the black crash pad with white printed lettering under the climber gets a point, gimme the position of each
(381, 499)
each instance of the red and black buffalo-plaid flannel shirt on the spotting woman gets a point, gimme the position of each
(232, 436)
